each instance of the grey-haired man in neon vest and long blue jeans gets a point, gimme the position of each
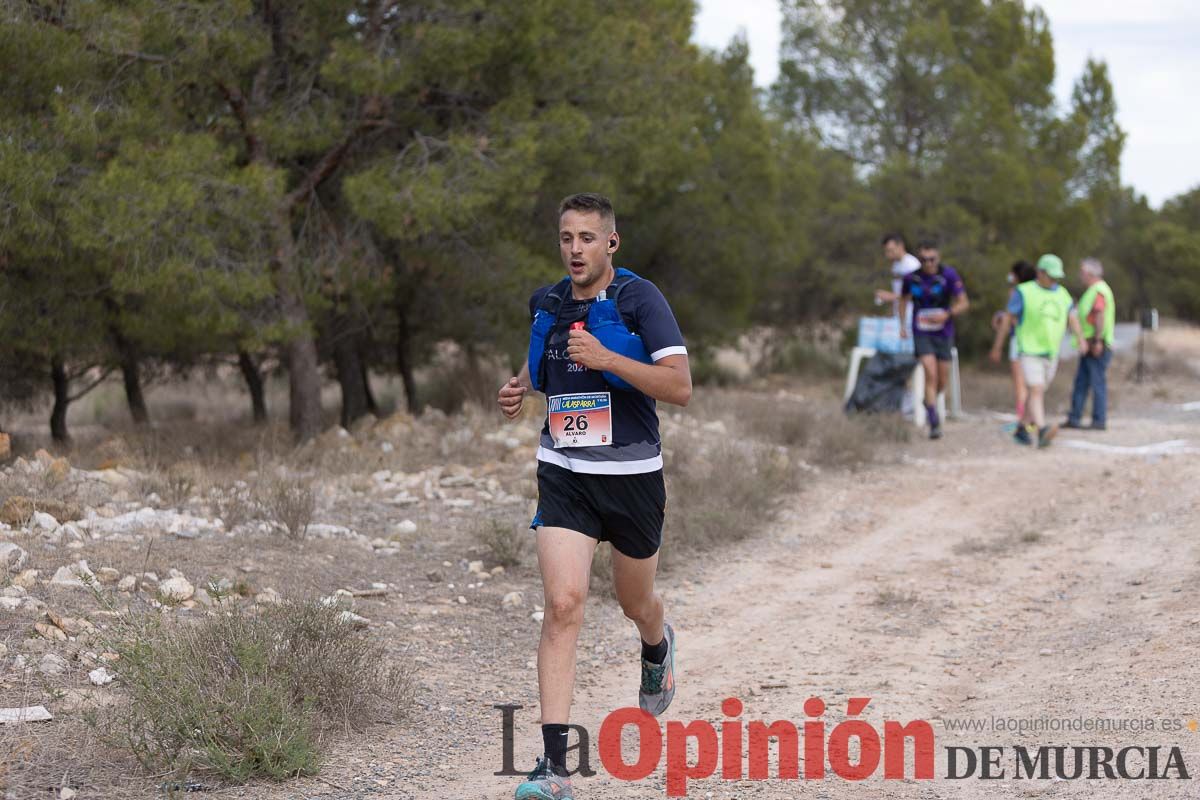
(1099, 318)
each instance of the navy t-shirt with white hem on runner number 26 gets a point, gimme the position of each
(637, 447)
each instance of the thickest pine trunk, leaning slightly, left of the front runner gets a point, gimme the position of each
(304, 368)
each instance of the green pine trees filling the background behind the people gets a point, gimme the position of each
(344, 183)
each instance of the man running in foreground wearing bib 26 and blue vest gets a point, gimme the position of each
(599, 461)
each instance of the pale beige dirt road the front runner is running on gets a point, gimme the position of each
(970, 580)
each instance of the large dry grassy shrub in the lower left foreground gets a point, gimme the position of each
(241, 695)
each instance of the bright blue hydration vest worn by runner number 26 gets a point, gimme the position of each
(604, 323)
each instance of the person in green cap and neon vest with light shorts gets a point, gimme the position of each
(1042, 311)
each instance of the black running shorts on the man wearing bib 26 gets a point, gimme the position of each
(626, 510)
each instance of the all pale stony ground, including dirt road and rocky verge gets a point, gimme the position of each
(965, 579)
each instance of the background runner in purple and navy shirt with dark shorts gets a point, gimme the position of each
(938, 297)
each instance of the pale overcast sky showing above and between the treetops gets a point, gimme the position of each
(1153, 49)
